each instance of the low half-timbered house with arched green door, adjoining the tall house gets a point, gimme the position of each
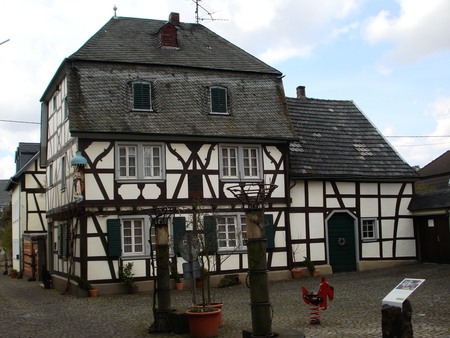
(350, 190)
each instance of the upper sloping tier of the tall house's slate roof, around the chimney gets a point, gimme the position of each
(133, 40)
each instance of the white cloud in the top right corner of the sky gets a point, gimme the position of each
(420, 30)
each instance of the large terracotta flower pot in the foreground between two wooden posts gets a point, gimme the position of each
(204, 324)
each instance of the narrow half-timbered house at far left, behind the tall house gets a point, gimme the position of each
(29, 229)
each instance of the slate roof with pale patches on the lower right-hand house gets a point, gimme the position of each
(336, 140)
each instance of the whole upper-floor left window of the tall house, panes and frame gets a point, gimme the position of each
(140, 161)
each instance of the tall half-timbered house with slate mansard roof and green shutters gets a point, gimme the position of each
(152, 115)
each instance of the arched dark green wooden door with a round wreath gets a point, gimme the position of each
(341, 242)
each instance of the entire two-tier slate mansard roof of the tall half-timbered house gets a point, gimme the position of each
(99, 72)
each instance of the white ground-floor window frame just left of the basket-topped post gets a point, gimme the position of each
(239, 234)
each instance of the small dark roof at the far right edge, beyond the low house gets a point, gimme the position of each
(437, 172)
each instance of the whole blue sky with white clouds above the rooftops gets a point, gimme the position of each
(391, 57)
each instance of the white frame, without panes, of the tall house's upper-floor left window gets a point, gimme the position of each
(139, 162)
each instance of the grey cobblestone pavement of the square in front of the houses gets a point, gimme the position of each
(27, 310)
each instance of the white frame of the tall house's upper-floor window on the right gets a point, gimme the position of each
(239, 163)
